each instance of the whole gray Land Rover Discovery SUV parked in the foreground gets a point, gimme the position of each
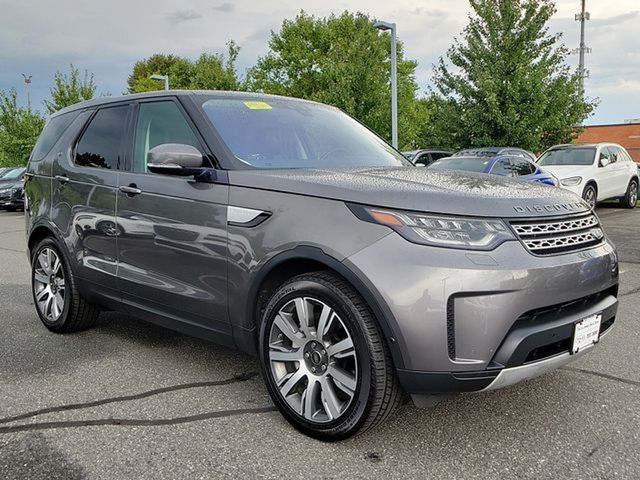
(288, 230)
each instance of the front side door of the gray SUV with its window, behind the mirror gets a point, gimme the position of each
(173, 240)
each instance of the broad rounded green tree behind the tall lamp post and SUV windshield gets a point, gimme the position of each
(343, 61)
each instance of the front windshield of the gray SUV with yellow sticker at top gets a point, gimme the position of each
(282, 133)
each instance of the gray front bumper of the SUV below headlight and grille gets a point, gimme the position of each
(462, 318)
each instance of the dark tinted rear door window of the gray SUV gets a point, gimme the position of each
(101, 143)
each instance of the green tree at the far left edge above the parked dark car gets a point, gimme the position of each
(19, 130)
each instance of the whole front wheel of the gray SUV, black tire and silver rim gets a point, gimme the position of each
(353, 389)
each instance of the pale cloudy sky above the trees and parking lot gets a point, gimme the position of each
(38, 37)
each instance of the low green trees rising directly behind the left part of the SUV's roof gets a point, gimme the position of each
(209, 71)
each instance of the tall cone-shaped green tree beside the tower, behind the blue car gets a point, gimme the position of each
(507, 82)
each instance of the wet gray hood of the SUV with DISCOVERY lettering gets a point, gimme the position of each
(419, 189)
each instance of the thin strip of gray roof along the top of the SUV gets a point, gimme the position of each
(175, 93)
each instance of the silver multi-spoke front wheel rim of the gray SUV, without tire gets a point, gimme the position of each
(313, 359)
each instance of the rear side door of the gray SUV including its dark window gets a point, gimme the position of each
(84, 184)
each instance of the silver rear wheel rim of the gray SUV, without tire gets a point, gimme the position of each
(49, 284)
